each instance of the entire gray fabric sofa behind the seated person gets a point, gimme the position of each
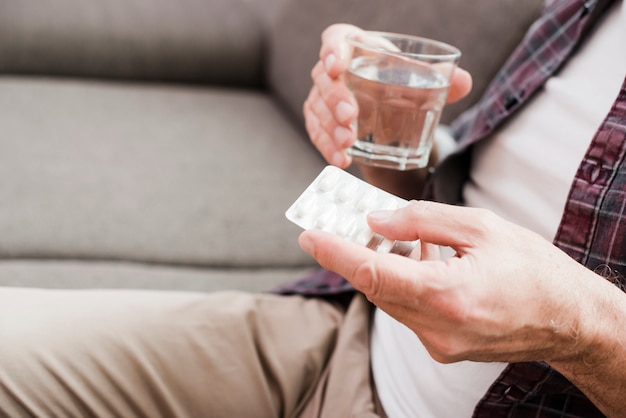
(157, 143)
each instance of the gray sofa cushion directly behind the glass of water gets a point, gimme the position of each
(484, 30)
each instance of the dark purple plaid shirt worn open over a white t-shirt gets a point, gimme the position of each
(593, 225)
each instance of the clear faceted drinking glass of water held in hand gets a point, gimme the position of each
(400, 83)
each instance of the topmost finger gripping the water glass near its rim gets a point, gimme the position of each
(335, 53)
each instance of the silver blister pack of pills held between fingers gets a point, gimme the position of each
(338, 202)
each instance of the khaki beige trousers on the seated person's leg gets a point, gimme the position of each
(119, 353)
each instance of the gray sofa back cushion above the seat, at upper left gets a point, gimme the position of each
(210, 41)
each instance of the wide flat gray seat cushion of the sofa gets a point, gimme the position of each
(194, 176)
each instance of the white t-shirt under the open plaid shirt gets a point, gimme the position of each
(524, 174)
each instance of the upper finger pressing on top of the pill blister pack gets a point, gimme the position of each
(435, 223)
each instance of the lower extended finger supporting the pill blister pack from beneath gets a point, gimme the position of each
(381, 277)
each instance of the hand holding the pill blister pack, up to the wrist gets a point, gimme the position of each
(507, 295)
